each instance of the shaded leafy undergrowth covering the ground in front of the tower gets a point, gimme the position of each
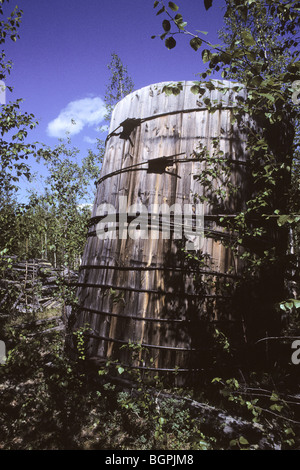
(48, 401)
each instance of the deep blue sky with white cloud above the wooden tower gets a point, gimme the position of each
(60, 61)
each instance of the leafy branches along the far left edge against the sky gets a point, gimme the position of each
(14, 151)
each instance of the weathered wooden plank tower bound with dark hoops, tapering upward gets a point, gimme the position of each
(140, 282)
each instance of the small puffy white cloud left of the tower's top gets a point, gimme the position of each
(76, 115)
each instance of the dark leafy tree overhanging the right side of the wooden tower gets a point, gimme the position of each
(260, 50)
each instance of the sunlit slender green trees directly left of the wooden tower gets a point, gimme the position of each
(59, 217)
